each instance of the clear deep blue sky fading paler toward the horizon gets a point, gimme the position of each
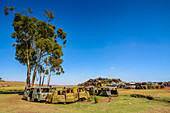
(126, 39)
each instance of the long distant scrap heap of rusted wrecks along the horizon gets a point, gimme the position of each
(103, 82)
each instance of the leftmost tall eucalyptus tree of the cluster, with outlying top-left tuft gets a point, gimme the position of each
(24, 34)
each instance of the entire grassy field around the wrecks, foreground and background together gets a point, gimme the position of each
(121, 104)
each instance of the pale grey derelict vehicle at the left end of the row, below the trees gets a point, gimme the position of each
(38, 93)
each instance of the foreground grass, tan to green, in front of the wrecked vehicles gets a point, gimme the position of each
(122, 104)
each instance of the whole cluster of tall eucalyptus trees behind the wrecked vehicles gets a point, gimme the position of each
(37, 44)
